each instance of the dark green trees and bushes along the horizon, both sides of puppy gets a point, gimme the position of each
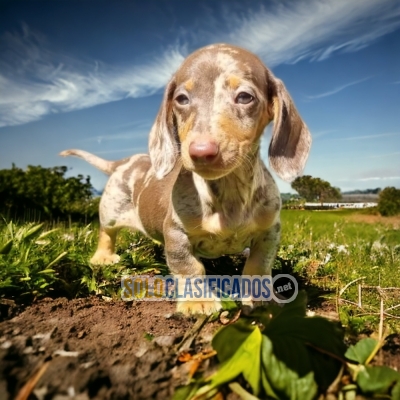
(39, 193)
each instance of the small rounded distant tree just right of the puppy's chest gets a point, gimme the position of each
(313, 189)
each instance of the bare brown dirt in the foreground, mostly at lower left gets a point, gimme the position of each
(93, 349)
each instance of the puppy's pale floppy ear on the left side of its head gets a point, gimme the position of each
(163, 145)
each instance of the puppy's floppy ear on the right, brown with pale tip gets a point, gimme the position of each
(291, 139)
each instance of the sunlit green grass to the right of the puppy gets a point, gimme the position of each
(330, 250)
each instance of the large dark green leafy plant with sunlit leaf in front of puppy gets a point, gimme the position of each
(280, 353)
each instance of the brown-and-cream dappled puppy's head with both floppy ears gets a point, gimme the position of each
(214, 111)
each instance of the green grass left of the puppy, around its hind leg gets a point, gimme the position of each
(38, 260)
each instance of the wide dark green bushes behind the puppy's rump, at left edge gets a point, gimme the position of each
(46, 190)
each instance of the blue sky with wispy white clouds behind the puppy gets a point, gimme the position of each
(90, 75)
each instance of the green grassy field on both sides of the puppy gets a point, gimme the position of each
(330, 249)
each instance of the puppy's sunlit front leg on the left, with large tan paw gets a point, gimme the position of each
(184, 264)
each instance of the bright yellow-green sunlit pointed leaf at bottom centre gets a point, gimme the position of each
(245, 360)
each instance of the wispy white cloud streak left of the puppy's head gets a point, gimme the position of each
(35, 81)
